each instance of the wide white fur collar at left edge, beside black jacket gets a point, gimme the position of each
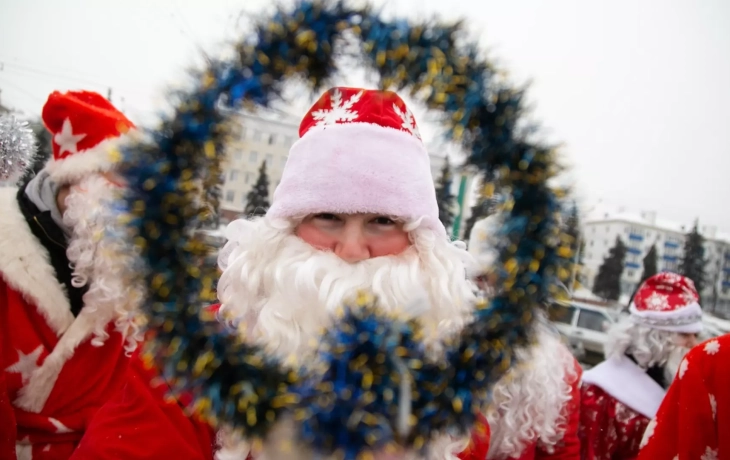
(25, 265)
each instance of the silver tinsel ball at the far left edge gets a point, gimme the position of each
(17, 147)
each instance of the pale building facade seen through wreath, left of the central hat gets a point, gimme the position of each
(260, 137)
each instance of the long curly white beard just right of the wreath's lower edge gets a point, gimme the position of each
(528, 404)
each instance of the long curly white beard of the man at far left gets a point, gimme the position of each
(100, 259)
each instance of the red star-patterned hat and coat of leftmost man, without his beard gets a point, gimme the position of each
(53, 377)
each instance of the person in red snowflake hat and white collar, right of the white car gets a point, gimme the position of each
(621, 395)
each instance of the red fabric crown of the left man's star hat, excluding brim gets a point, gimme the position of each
(88, 113)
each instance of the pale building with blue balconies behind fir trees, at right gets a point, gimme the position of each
(639, 232)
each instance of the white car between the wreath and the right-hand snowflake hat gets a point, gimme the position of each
(584, 327)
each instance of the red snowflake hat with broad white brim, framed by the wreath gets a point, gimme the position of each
(359, 151)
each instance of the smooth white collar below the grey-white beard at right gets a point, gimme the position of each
(628, 383)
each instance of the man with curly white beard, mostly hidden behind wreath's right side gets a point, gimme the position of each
(535, 409)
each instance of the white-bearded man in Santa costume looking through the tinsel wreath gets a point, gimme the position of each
(355, 210)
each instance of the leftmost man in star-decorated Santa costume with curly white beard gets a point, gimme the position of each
(65, 311)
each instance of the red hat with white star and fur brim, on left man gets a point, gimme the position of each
(82, 124)
